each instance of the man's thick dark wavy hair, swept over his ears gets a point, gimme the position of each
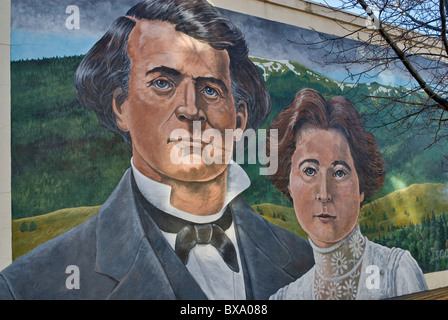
(106, 67)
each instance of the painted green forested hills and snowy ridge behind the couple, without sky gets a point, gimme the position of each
(64, 164)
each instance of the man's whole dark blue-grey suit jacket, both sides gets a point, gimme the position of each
(117, 260)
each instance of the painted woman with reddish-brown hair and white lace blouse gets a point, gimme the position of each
(328, 166)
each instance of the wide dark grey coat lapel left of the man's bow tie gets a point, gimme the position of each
(145, 267)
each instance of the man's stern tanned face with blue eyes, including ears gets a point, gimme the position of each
(176, 83)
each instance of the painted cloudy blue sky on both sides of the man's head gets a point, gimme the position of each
(45, 29)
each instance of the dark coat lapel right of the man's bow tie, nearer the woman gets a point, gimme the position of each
(264, 256)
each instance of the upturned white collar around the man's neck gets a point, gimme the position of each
(159, 194)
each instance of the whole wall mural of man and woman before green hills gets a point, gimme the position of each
(152, 149)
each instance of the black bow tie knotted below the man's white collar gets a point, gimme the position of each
(190, 234)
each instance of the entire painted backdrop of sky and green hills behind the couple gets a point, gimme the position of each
(65, 165)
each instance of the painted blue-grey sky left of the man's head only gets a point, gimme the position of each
(38, 28)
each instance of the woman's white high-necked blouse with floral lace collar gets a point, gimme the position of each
(356, 268)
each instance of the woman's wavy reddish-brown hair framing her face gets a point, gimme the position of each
(310, 107)
